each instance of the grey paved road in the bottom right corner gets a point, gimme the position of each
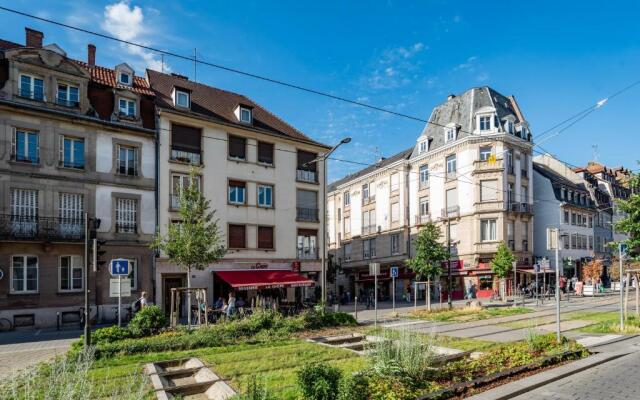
(615, 380)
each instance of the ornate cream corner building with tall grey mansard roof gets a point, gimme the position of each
(469, 170)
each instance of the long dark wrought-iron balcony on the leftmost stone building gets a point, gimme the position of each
(14, 227)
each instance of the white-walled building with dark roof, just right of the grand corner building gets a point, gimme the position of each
(563, 202)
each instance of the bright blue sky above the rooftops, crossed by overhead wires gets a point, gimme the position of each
(556, 57)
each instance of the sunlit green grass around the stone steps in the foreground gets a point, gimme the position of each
(274, 363)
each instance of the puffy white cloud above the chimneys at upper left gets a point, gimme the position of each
(127, 22)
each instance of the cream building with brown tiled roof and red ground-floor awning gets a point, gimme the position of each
(260, 176)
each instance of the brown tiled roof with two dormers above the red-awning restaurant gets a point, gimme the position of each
(219, 105)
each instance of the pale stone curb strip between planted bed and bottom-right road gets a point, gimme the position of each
(513, 389)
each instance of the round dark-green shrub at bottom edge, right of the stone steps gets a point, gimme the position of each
(319, 381)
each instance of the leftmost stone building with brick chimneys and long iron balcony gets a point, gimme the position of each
(63, 129)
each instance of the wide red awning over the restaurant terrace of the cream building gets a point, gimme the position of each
(263, 279)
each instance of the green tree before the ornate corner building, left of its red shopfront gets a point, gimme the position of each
(429, 256)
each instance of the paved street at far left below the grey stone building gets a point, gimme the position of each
(22, 349)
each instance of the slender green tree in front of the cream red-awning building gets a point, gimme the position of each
(195, 241)
